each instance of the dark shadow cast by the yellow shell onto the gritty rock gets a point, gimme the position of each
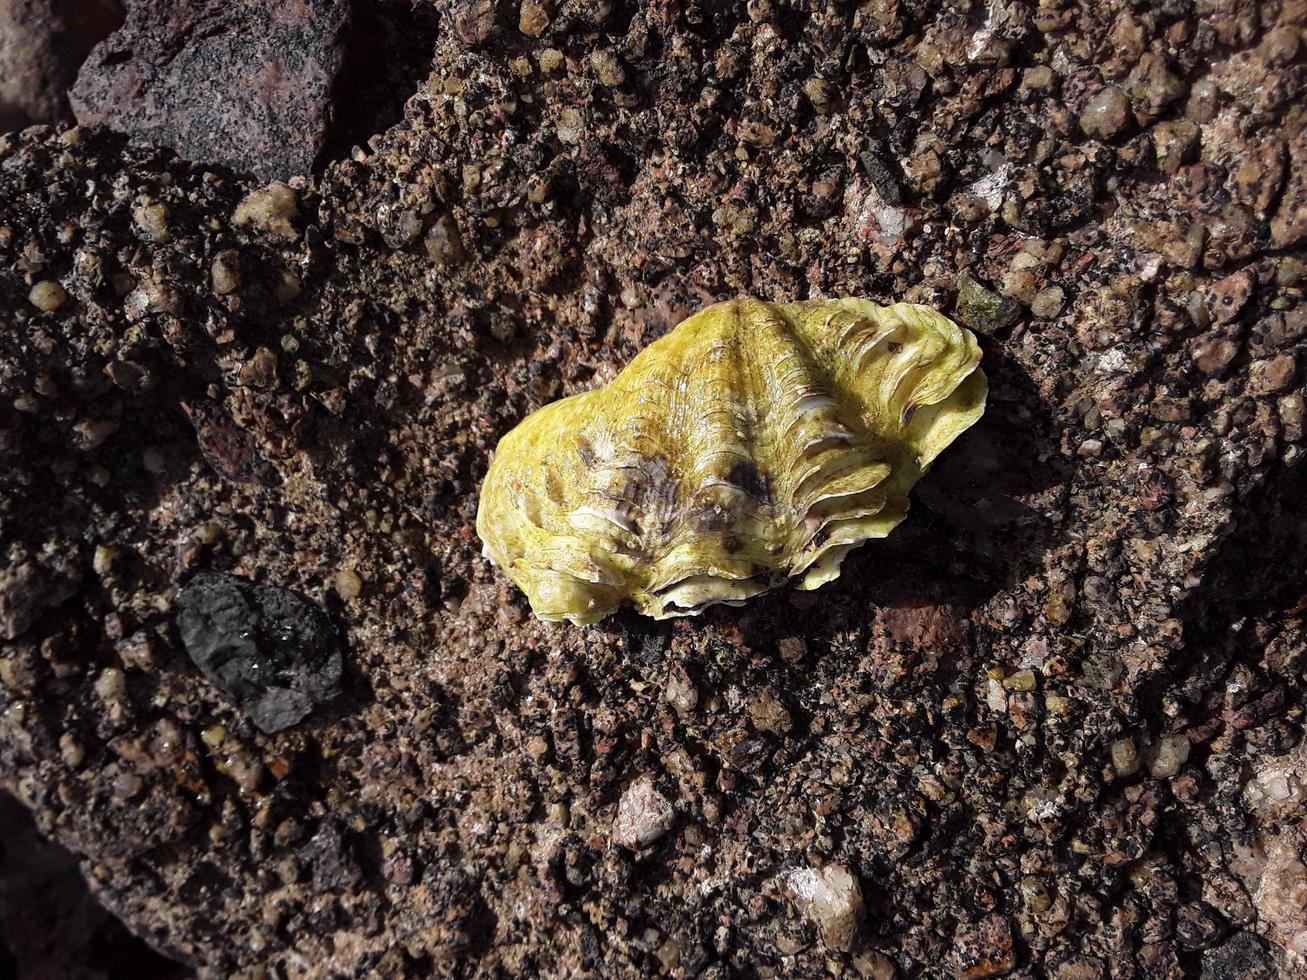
(981, 521)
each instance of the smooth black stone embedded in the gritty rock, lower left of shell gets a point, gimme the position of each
(273, 653)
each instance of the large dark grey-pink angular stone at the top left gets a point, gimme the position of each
(244, 84)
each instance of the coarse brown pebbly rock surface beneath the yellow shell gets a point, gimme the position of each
(984, 721)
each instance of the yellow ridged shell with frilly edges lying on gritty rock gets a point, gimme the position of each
(753, 444)
